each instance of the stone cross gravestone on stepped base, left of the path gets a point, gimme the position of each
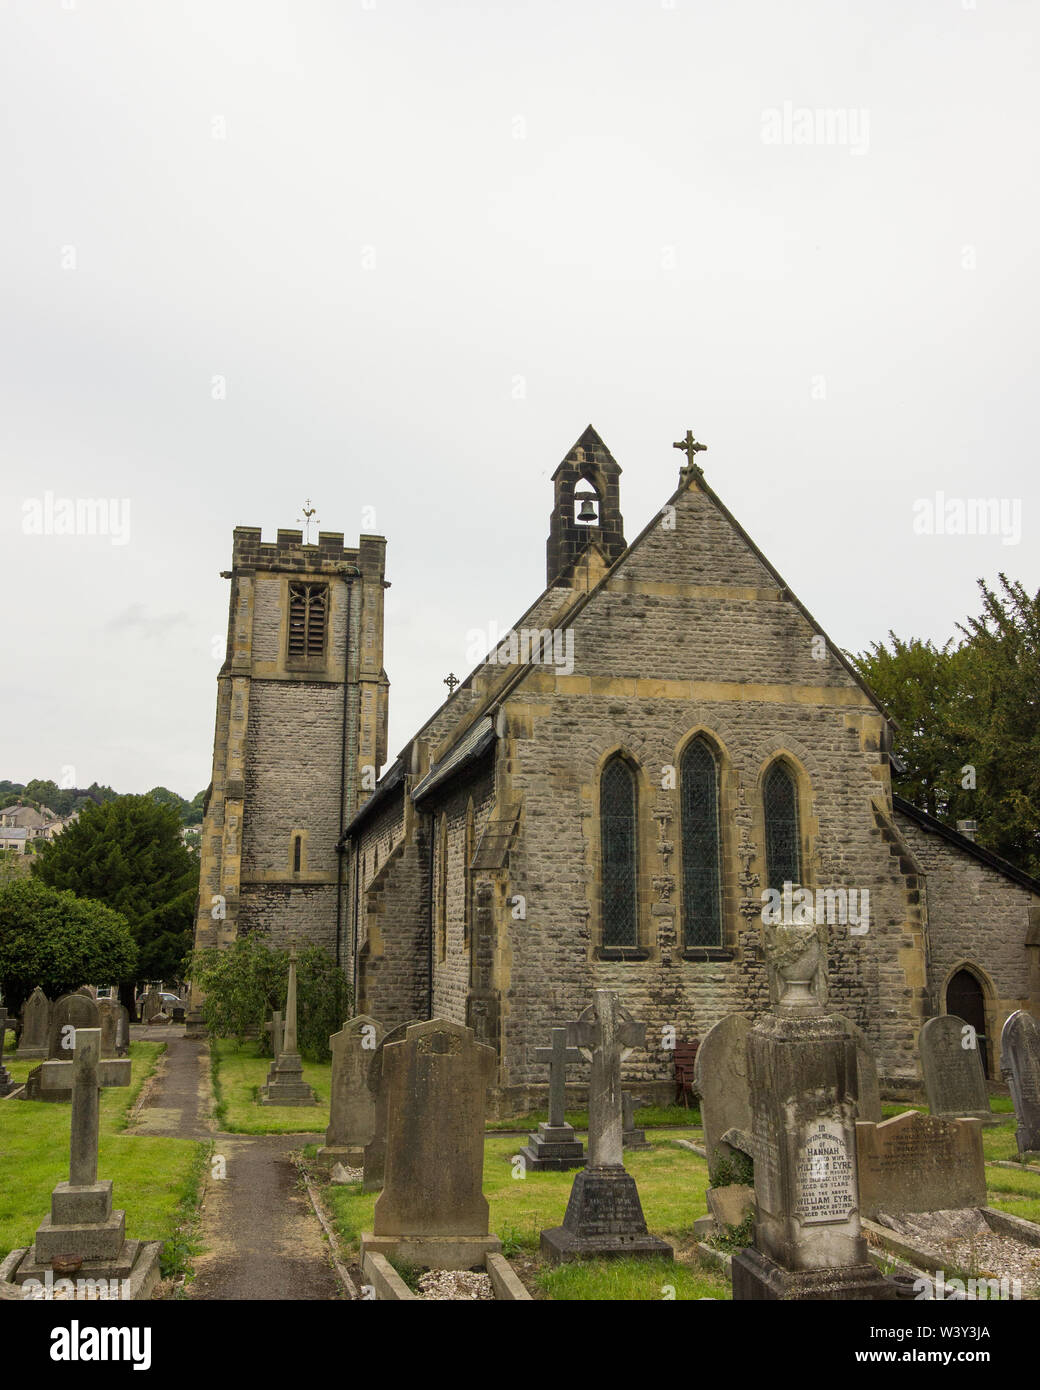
(81, 1221)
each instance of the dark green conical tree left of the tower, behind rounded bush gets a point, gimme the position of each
(129, 856)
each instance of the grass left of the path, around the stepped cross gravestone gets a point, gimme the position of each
(152, 1178)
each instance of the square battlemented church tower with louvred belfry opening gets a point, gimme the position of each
(301, 735)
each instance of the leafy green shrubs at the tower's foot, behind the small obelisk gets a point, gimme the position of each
(247, 981)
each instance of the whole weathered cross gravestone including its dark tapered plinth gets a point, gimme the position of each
(604, 1214)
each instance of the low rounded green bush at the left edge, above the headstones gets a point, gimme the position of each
(58, 942)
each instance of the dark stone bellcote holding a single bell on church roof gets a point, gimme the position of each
(586, 515)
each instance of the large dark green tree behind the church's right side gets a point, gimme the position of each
(970, 721)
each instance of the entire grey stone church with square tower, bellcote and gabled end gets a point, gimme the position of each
(665, 742)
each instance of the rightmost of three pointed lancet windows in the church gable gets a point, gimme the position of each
(700, 826)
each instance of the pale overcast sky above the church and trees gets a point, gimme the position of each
(425, 245)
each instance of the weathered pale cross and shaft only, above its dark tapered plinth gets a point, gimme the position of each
(606, 1032)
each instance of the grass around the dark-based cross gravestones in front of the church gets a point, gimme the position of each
(672, 1188)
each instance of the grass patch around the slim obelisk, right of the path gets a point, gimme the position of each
(240, 1071)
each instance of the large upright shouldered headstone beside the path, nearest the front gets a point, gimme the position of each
(433, 1210)
